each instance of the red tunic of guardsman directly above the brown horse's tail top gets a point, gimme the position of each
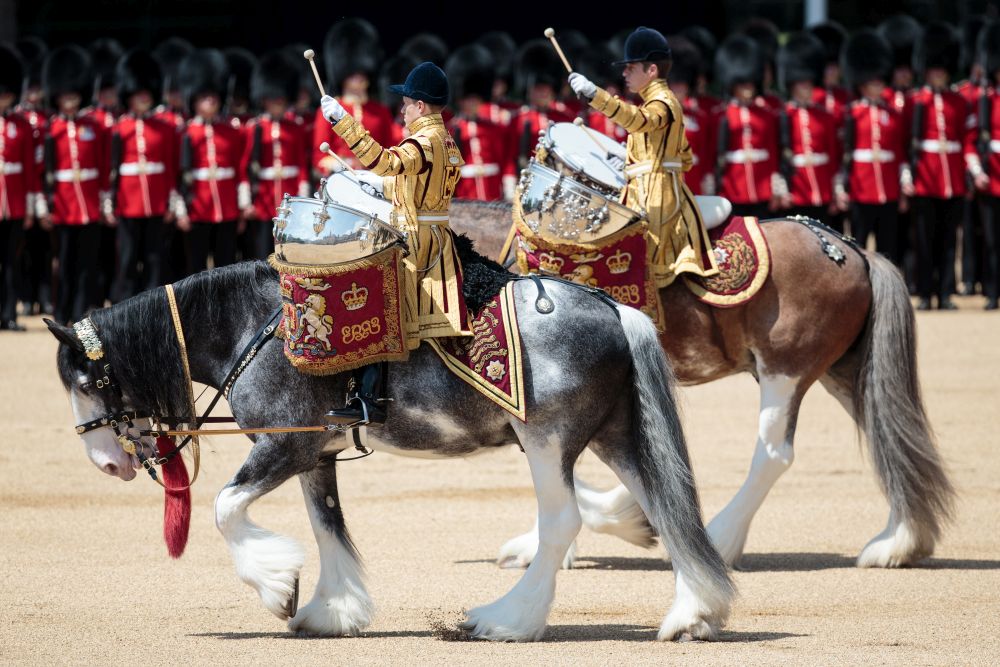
(878, 150)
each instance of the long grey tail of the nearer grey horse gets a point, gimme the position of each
(665, 470)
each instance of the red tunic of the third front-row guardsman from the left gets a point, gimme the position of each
(148, 168)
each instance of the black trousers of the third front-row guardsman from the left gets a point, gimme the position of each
(140, 256)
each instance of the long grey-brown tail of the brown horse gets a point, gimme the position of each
(890, 411)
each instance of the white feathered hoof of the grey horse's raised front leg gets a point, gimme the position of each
(270, 563)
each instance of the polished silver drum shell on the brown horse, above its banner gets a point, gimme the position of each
(562, 210)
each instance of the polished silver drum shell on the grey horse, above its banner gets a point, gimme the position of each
(314, 232)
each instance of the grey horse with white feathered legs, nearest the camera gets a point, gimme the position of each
(595, 376)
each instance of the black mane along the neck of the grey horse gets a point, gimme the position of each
(138, 333)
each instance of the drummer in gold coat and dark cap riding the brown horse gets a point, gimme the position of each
(657, 154)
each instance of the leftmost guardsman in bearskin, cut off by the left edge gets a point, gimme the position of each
(19, 183)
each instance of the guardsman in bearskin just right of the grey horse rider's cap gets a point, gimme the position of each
(488, 172)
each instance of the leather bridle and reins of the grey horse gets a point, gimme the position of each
(119, 419)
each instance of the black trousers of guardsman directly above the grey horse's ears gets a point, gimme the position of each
(79, 264)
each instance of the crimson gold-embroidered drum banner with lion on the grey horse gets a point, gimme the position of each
(341, 316)
